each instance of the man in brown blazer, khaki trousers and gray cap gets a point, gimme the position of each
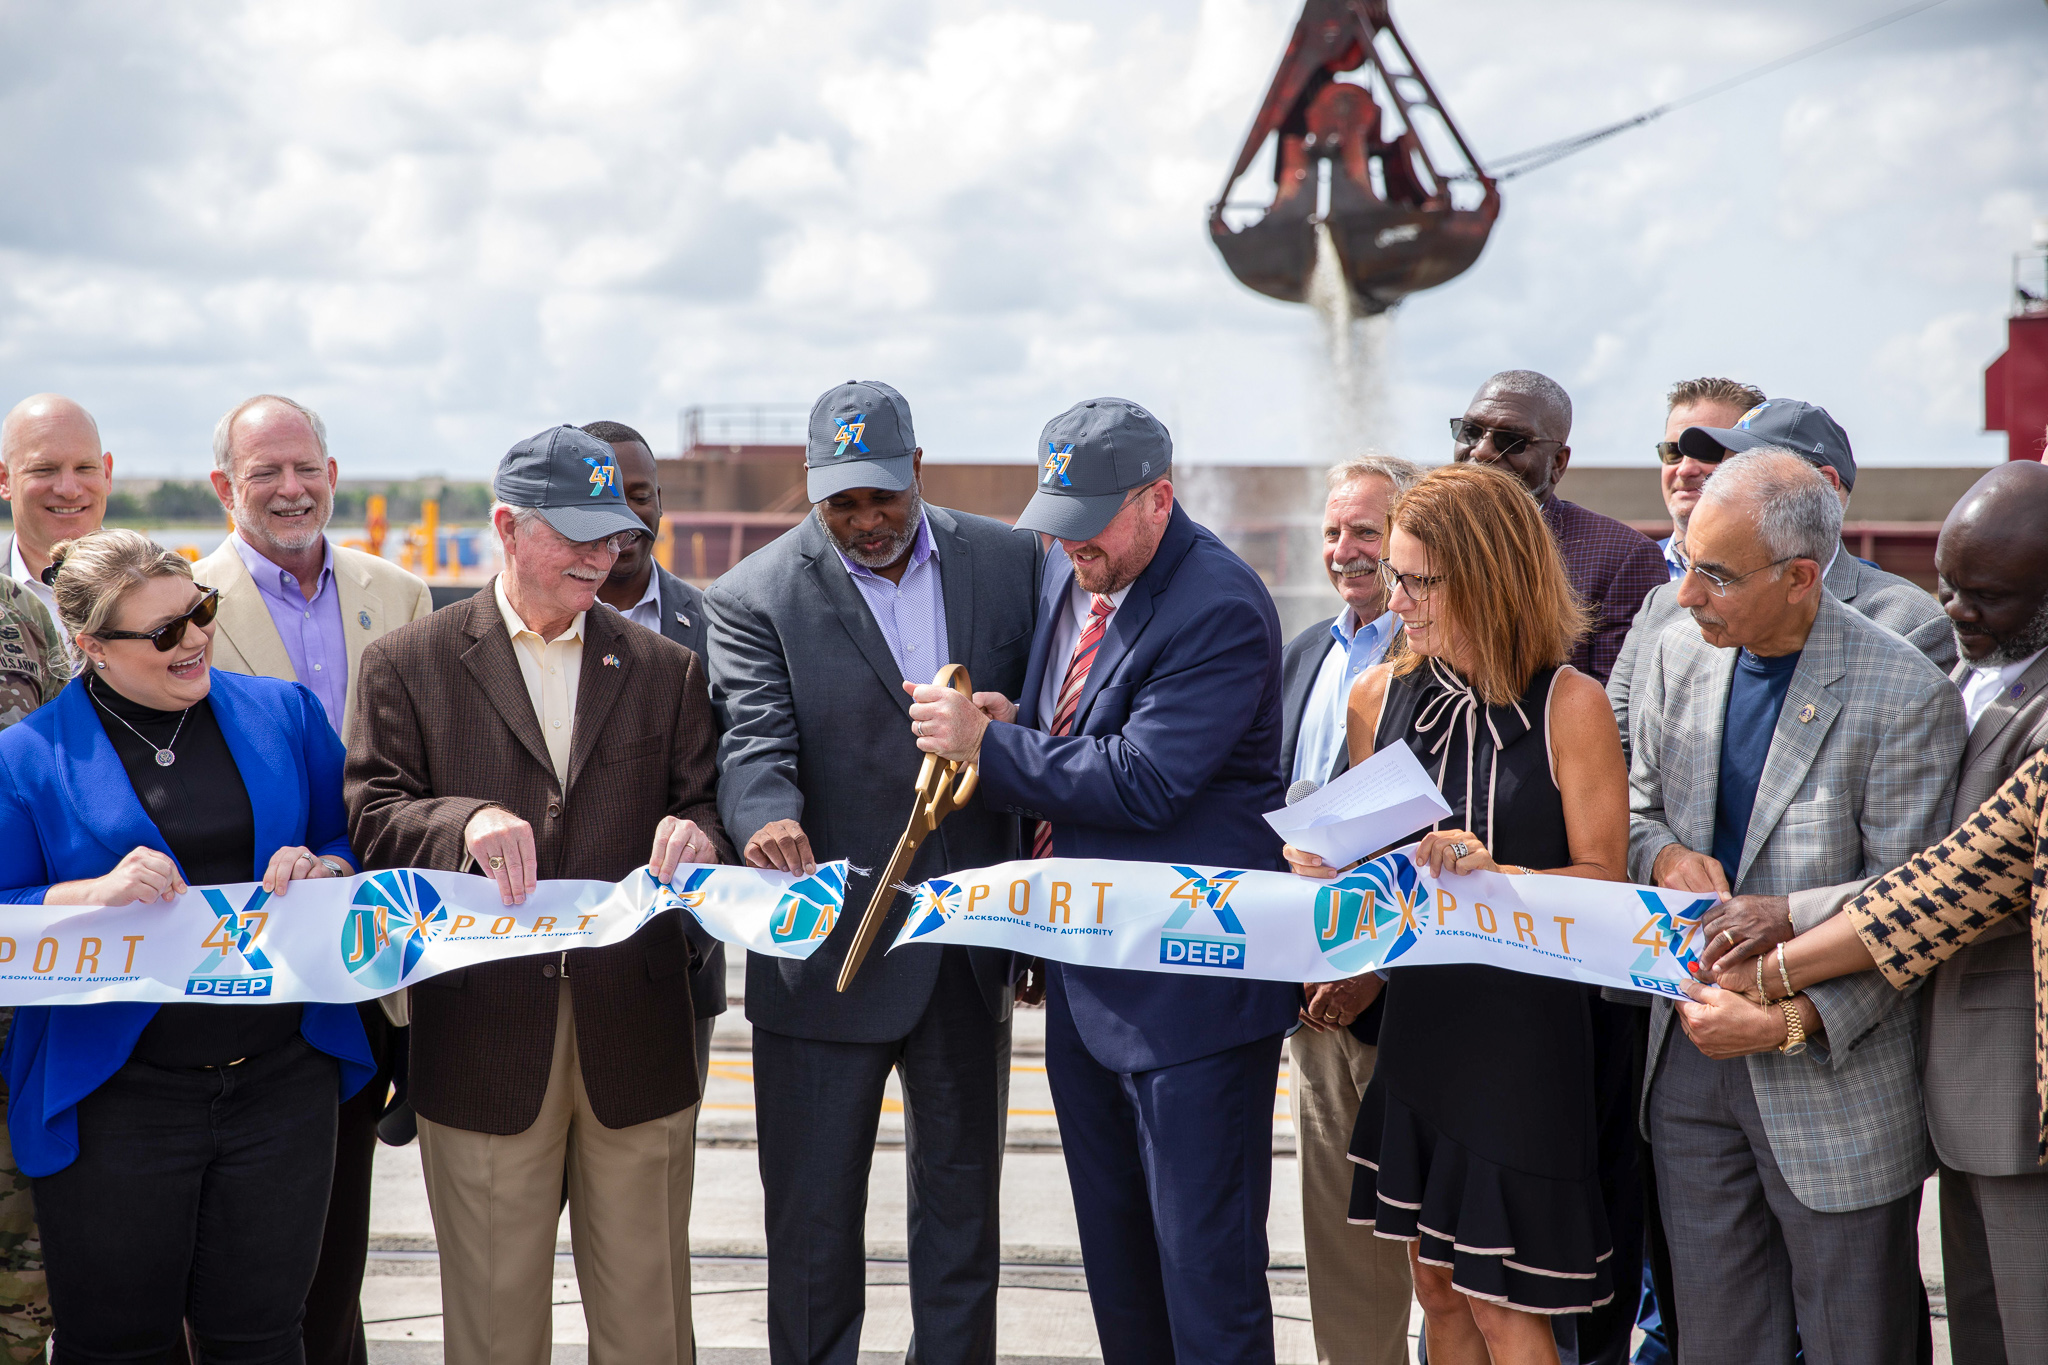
(534, 738)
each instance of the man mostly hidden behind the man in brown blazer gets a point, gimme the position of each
(650, 597)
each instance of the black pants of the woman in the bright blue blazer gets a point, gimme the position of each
(200, 1198)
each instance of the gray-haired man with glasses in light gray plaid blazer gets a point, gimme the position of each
(1785, 746)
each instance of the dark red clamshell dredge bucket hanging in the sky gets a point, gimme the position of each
(1351, 114)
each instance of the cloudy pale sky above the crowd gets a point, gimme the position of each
(454, 224)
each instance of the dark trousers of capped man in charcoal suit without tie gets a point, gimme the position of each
(818, 1106)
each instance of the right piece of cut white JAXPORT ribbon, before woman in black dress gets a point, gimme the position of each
(1275, 926)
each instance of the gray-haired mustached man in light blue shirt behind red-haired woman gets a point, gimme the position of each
(1359, 1284)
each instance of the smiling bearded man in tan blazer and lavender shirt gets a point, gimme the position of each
(302, 609)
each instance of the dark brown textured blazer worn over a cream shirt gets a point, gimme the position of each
(443, 728)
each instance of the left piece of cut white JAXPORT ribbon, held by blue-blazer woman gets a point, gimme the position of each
(345, 940)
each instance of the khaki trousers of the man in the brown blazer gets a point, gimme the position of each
(497, 1204)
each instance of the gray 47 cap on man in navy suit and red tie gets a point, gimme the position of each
(1089, 459)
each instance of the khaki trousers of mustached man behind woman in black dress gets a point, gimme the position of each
(1359, 1284)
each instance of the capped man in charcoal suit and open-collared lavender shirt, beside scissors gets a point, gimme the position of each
(814, 646)
